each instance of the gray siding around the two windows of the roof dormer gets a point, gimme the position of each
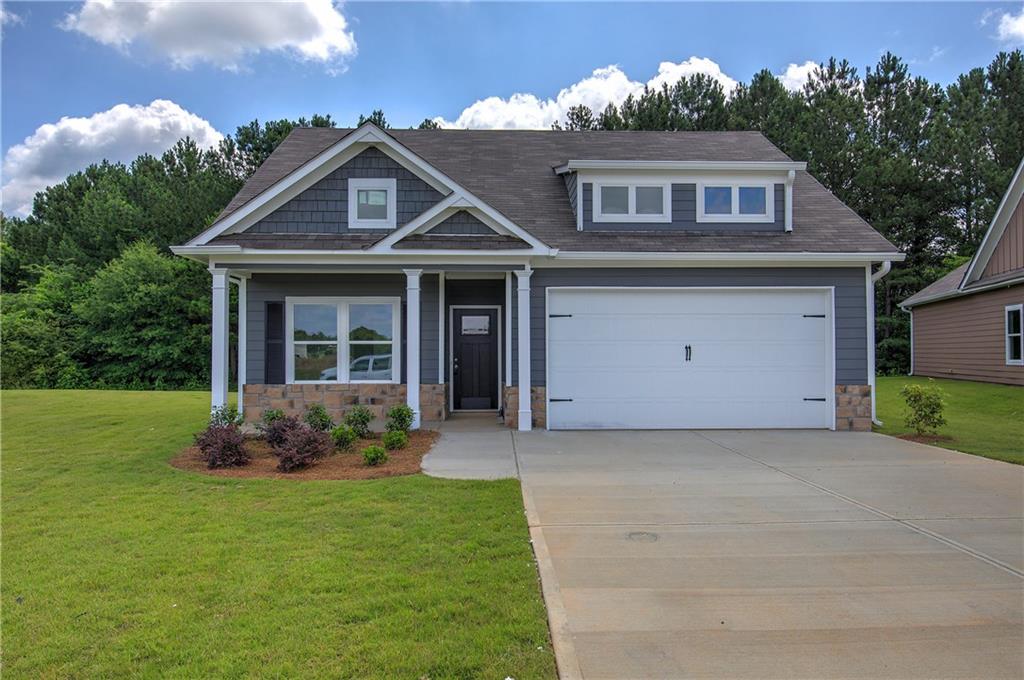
(685, 216)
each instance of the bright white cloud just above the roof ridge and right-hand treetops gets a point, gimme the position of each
(604, 87)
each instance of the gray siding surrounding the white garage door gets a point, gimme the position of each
(851, 312)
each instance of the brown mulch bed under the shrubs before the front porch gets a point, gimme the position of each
(343, 465)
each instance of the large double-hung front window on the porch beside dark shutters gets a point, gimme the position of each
(347, 341)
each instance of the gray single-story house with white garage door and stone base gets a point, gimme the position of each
(568, 280)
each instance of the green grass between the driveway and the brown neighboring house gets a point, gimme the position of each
(983, 418)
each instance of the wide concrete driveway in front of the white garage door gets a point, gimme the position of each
(776, 555)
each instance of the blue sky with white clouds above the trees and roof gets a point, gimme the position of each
(217, 71)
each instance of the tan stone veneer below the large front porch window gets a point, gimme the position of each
(339, 399)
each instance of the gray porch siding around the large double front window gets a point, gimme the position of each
(275, 288)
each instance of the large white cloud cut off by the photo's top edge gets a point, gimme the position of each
(222, 33)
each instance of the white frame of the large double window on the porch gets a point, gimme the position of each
(343, 305)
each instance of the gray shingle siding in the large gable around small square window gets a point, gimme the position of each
(324, 207)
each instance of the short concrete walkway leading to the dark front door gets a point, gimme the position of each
(474, 446)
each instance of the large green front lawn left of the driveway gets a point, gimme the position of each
(117, 565)
